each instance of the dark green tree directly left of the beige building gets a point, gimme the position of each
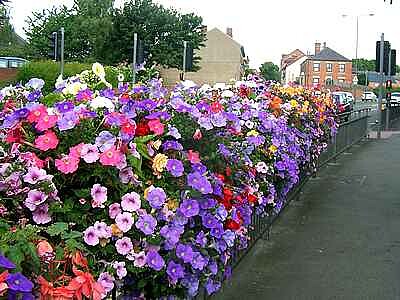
(162, 31)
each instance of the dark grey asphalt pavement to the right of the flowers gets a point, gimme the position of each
(341, 240)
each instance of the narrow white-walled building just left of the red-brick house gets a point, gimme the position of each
(291, 66)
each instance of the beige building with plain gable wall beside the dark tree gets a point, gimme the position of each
(222, 59)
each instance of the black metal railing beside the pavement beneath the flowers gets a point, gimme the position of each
(352, 129)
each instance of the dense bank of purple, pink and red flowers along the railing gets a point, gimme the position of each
(144, 189)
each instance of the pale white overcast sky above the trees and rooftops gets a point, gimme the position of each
(269, 28)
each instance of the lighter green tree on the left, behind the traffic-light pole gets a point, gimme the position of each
(87, 26)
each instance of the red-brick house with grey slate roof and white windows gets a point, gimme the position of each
(326, 67)
